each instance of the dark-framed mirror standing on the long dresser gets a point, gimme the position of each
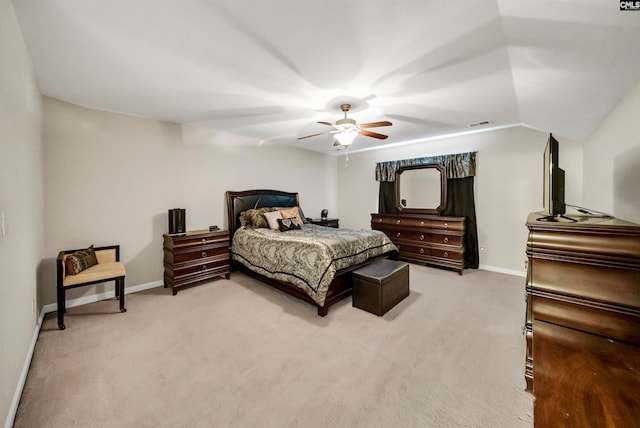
(421, 189)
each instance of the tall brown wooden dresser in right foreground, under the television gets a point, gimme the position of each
(583, 322)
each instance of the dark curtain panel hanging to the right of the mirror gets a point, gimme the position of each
(460, 203)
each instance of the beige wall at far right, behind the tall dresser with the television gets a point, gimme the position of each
(612, 162)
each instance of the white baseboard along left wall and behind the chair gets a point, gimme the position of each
(52, 308)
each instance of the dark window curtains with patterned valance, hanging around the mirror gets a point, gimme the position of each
(460, 169)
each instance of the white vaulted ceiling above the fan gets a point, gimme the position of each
(264, 71)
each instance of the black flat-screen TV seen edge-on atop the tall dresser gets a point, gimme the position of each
(553, 176)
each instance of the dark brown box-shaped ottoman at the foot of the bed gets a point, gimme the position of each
(380, 286)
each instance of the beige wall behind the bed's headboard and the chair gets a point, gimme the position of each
(110, 178)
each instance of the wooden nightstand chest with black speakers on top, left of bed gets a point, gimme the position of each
(195, 256)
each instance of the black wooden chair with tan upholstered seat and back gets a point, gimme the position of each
(108, 268)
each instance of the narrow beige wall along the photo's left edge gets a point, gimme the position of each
(21, 200)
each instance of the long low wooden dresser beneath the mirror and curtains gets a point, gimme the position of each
(422, 238)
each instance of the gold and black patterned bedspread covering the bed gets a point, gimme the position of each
(308, 257)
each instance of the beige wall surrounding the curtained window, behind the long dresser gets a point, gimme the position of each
(508, 186)
